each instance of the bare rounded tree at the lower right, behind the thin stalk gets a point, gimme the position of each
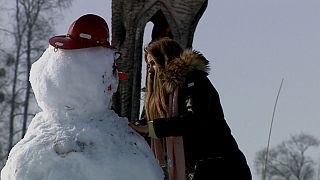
(288, 160)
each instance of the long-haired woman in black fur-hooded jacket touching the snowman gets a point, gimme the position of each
(183, 112)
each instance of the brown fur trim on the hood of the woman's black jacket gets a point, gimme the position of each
(175, 73)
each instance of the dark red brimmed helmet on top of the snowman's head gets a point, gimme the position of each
(88, 31)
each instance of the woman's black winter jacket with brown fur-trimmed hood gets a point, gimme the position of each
(201, 122)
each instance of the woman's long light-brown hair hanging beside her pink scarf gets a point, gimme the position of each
(156, 101)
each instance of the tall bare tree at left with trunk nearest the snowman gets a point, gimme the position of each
(35, 22)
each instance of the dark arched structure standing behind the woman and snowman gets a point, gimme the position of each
(176, 19)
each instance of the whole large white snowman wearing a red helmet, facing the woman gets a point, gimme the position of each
(77, 136)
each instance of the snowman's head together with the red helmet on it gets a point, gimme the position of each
(77, 73)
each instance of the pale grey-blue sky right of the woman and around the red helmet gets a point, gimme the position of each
(252, 45)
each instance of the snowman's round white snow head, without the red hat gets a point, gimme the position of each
(79, 81)
